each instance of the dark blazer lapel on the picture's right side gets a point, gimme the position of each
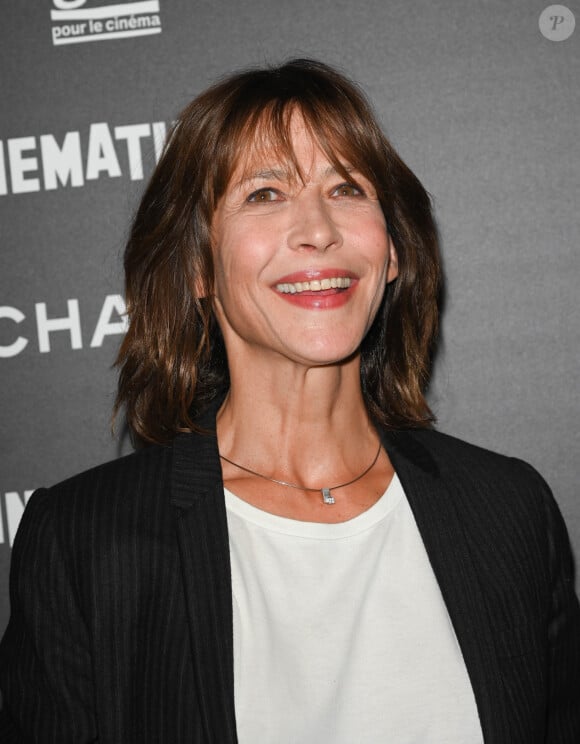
(442, 531)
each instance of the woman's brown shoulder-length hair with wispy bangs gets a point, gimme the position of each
(172, 360)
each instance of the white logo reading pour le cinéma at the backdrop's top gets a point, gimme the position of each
(72, 23)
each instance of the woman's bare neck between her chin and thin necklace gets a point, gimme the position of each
(297, 423)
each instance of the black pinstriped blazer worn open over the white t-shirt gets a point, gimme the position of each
(121, 625)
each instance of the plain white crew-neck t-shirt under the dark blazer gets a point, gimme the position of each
(341, 635)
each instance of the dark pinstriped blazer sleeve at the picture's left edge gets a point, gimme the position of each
(45, 658)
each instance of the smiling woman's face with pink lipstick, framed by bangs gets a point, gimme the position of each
(300, 266)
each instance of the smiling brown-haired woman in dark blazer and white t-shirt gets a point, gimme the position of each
(296, 556)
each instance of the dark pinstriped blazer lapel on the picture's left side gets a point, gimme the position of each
(197, 495)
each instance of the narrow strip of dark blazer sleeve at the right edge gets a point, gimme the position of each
(563, 717)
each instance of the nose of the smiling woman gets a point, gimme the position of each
(313, 227)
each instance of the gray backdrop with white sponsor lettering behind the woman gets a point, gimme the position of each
(481, 105)
